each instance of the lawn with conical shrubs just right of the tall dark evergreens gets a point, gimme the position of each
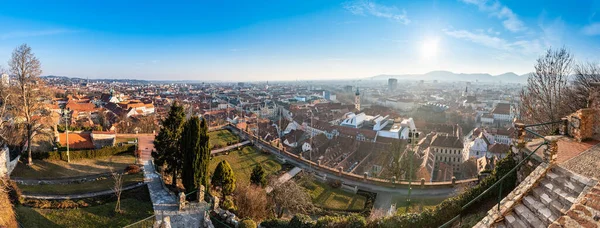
(243, 161)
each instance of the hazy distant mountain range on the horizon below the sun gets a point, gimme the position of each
(509, 77)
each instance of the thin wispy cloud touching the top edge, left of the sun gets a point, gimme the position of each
(368, 8)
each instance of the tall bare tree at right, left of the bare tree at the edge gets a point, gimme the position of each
(544, 97)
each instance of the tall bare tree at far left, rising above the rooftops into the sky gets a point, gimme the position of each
(29, 92)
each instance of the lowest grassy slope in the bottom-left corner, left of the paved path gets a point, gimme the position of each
(95, 216)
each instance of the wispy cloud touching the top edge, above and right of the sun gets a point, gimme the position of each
(510, 20)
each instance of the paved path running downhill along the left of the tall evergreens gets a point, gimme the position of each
(163, 202)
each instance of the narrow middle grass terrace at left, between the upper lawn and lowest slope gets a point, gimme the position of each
(92, 186)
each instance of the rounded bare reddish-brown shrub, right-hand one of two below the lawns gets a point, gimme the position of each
(291, 197)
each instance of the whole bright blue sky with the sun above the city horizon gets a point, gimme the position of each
(289, 40)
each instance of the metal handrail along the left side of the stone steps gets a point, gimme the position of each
(501, 180)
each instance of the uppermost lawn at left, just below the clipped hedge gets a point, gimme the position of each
(80, 167)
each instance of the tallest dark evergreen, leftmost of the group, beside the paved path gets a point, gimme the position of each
(166, 142)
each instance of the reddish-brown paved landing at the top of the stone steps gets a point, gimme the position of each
(586, 164)
